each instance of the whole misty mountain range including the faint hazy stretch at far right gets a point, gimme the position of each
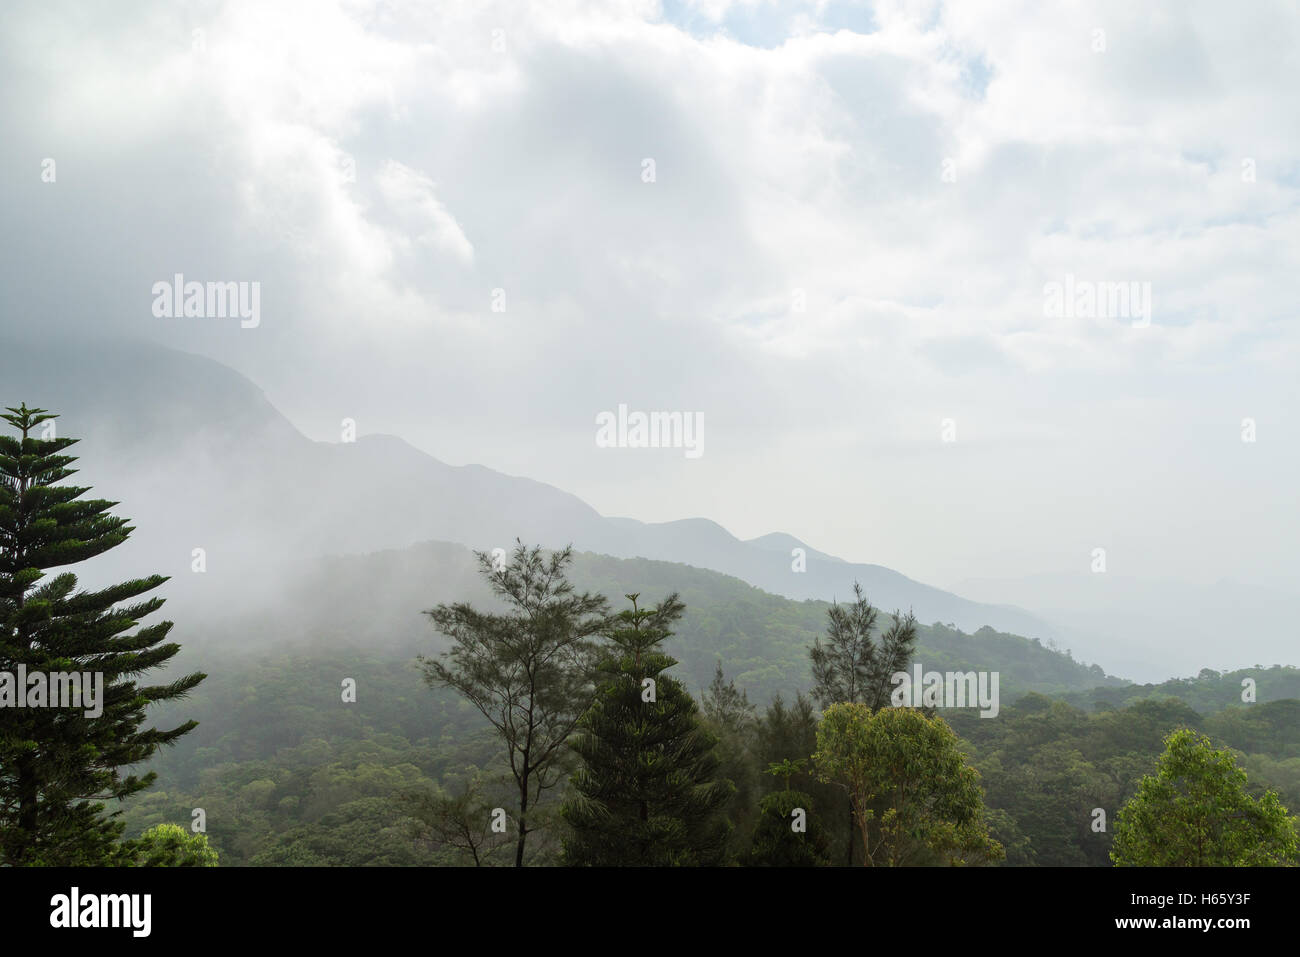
(201, 460)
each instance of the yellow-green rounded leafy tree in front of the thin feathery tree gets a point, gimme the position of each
(915, 799)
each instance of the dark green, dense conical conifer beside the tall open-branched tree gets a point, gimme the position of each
(645, 794)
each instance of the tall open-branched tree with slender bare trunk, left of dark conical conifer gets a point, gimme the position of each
(530, 672)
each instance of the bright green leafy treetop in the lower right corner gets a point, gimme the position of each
(1195, 813)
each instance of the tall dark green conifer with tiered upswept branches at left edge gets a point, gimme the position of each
(66, 741)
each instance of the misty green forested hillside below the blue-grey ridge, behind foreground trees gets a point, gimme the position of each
(288, 773)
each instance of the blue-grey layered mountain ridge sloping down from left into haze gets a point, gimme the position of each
(201, 461)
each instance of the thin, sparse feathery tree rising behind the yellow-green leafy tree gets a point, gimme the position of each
(852, 668)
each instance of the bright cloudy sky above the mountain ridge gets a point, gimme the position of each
(833, 232)
